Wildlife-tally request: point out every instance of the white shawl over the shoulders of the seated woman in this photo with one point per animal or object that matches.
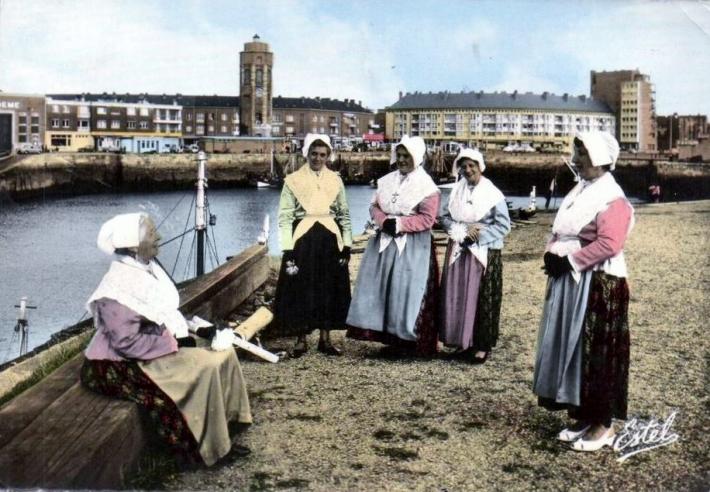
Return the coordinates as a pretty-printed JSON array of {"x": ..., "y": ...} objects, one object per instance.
[{"x": 145, "y": 289}]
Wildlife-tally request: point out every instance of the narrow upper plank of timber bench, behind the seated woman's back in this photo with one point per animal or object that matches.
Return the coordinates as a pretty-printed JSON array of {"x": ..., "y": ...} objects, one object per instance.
[{"x": 20, "y": 412}]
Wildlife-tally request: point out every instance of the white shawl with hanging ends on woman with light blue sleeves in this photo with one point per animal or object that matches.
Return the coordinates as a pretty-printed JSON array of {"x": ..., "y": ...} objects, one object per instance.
[{"x": 468, "y": 206}]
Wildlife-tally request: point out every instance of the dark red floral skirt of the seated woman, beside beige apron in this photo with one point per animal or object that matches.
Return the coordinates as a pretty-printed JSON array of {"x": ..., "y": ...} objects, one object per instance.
[{"x": 125, "y": 380}]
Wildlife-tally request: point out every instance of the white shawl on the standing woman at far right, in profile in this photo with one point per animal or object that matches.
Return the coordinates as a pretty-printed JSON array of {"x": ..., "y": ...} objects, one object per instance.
[{"x": 579, "y": 208}]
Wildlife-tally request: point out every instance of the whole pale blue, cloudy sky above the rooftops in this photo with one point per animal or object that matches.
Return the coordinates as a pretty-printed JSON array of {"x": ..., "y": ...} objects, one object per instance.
[{"x": 362, "y": 50}]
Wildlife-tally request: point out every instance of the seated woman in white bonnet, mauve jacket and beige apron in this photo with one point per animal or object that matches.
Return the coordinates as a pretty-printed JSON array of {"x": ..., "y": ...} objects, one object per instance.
[{"x": 191, "y": 394}]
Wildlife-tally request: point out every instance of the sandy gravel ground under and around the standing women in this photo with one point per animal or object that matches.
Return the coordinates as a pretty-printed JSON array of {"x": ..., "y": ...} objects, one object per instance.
[{"x": 366, "y": 421}]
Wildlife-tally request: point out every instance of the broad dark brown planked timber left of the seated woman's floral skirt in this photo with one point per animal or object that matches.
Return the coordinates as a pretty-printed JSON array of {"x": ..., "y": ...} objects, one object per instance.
[{"x": 74, "y": 443}]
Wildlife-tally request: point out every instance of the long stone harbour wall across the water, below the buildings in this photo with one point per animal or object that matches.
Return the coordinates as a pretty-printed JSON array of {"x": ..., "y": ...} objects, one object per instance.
[{"x": 41, "y": 175}]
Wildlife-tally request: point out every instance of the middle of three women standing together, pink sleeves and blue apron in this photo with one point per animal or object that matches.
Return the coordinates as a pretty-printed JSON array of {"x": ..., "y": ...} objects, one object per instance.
[{"x": 395, "y": 294}]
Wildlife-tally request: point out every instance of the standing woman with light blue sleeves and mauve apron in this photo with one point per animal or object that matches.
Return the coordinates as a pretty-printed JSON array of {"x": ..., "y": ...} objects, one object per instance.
[{"x": 472, "y": 283}]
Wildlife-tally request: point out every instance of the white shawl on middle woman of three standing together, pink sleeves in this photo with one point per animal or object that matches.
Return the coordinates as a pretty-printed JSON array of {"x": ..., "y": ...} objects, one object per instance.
[{"x": 399, "y": 195}]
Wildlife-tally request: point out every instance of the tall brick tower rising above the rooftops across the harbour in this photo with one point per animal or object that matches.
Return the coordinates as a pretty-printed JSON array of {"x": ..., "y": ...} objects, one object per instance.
[{"x": 255, "y": 88}]
